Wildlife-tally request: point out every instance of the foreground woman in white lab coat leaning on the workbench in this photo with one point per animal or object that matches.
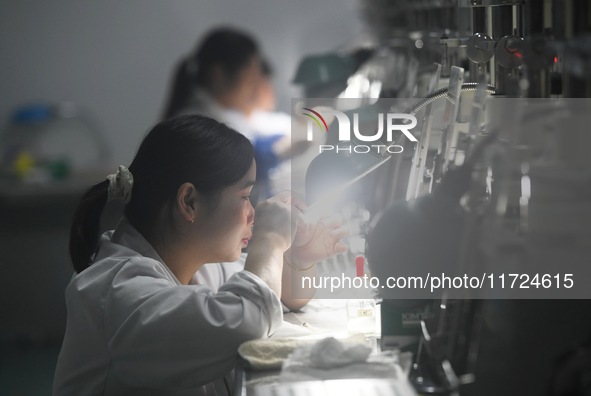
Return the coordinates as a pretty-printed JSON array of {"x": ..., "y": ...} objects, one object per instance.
[{"x": 137, "y": 322}]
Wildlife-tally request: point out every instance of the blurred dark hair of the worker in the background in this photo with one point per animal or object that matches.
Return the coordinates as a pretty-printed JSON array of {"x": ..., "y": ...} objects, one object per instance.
[{"x": 226, "y": 48}]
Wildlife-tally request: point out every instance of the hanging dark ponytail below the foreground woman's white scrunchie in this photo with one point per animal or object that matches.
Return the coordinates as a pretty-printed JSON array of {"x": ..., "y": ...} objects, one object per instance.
[{"x": 84, "y": 232}]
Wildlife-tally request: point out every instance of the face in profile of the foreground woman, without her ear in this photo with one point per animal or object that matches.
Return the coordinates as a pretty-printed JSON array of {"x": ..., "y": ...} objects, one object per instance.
[{"x": 228, "y": 224}]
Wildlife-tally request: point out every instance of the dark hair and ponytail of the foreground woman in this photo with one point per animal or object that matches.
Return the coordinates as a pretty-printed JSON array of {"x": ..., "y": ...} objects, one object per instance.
[{"x": 185, "y": 149}]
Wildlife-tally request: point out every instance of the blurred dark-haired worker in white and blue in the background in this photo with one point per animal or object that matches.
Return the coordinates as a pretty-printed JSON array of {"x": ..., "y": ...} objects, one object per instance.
[{"x": 227, "y": 79}]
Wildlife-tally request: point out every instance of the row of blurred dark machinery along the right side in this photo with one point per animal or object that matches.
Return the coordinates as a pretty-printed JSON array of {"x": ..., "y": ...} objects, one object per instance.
[{"x": 500, "y": 89}]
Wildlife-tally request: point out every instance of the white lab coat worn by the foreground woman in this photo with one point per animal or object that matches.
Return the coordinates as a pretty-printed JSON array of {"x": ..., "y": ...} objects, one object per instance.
[{"x": 133, "y": 329}]
